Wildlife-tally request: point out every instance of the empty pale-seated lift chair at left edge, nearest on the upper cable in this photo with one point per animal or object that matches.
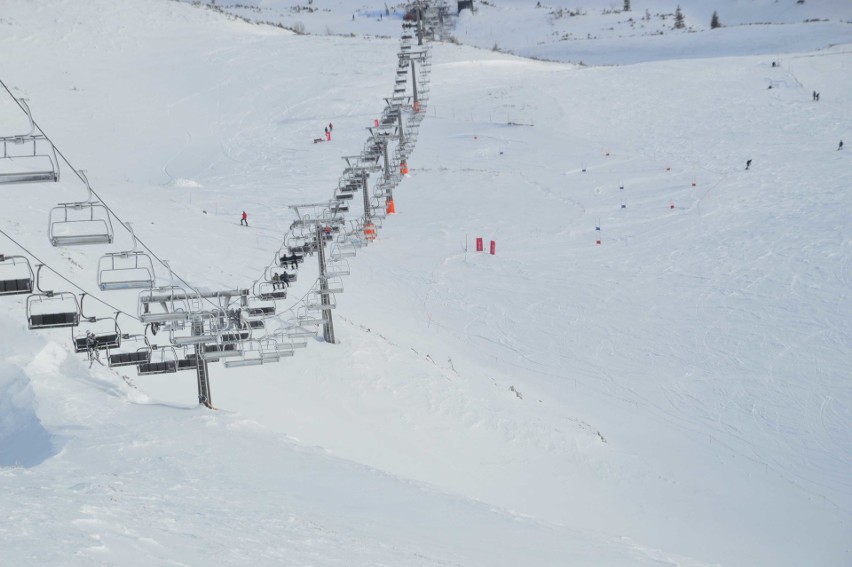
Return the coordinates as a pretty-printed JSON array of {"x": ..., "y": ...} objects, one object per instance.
[{"x": 28, "y": 158}]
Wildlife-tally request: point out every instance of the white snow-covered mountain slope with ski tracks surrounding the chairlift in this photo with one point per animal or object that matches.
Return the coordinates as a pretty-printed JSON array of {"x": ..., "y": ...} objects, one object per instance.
[{"x": 676, "y": 395}]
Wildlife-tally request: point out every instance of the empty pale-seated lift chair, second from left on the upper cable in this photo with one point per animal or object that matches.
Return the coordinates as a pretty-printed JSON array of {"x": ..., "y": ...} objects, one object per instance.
[{"x": 84, "y": 222}]
